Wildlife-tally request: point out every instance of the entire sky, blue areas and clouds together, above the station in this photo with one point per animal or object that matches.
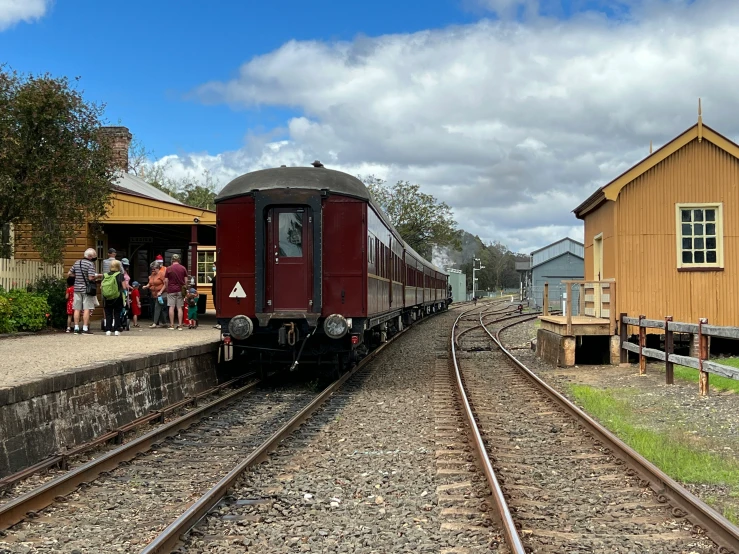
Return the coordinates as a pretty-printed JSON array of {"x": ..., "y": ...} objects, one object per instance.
[{"x": 511, "y": 111}]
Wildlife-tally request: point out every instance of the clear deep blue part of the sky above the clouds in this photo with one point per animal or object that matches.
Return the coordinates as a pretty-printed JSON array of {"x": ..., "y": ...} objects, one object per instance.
[{"x": 143, "y": 58}]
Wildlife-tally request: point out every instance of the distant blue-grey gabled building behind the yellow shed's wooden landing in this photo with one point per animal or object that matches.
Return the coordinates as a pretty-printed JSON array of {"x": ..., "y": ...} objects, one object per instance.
[{"x": 560, "y": 261}]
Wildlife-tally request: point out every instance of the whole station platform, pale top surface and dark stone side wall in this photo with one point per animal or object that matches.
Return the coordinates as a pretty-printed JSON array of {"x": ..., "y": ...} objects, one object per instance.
[{"x": 58, "y": 390}]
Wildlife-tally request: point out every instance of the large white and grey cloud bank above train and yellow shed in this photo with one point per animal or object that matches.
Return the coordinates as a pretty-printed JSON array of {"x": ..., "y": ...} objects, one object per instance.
[{"x": 512, "y": 123}]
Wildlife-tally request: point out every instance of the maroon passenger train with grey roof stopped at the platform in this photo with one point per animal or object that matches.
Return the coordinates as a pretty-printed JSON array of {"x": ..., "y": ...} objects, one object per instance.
[{"x": 310, "y": 268}]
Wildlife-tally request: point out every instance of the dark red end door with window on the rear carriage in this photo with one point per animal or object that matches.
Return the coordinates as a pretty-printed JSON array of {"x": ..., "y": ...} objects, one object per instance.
[{"x": 289, "y": 258}]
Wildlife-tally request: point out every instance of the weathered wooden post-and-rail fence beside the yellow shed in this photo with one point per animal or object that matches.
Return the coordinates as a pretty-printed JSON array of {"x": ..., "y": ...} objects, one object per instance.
[{"x": 701, "y": 363}]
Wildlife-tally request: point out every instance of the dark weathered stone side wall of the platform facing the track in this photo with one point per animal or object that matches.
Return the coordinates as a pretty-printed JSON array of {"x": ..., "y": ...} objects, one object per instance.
[{"x": 40, "y": 418}]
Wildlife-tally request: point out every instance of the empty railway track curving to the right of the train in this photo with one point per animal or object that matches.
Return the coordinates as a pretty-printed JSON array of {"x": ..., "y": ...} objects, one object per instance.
[{"x": 560, "y": 481}]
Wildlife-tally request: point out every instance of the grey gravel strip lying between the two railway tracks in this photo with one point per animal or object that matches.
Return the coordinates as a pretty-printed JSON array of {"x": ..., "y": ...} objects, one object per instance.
[{"x": 363, "y": 475}]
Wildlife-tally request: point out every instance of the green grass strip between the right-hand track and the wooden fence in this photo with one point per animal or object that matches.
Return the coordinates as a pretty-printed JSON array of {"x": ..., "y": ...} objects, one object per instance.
[{"x": 683, "y": 460}]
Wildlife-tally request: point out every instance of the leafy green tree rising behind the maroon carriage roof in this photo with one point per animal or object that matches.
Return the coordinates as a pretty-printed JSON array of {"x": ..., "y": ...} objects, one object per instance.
[{"x": 420, "y": 218}]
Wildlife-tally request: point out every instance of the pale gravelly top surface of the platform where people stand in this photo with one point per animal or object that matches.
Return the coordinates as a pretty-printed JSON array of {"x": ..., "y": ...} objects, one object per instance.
[{"x": 31, "y": 358}]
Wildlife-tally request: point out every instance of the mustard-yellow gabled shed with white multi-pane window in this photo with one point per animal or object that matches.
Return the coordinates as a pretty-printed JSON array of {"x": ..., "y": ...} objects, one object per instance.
[{"x": 667, "y": 231}]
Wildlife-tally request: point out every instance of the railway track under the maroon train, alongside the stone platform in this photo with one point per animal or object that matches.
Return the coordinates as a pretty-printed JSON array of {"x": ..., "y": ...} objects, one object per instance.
[{"x": 167, "y": 479}]
